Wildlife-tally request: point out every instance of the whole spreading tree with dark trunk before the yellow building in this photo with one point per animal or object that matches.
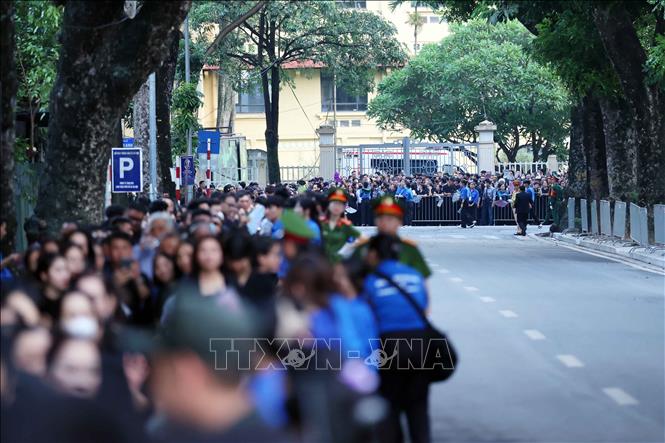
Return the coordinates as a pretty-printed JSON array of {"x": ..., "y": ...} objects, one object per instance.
[{"x": 351, "y": 41}]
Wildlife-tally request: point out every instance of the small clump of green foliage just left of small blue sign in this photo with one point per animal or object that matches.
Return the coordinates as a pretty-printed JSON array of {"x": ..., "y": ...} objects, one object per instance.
[{"x": 185, "y": 104}]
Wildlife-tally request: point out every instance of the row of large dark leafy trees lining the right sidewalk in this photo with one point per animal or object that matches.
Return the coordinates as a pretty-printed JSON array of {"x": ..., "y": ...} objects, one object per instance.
[{"x": 612, "y": 56}]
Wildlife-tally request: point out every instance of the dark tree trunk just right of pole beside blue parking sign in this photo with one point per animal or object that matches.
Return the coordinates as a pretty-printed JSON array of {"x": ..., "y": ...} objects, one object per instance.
[{"x": 164, "y": 86}]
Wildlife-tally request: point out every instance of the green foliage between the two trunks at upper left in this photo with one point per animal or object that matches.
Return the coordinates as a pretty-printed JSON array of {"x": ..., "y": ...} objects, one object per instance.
[{"x": 37, "y": 48}]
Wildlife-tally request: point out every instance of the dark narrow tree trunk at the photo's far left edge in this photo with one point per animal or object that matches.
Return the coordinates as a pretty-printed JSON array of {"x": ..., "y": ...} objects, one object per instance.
[{"x": 8, "y": 88}]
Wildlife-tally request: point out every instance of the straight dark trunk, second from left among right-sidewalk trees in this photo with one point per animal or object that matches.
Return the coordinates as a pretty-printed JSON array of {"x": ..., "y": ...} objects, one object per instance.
[{"x": 594, "y": 146}]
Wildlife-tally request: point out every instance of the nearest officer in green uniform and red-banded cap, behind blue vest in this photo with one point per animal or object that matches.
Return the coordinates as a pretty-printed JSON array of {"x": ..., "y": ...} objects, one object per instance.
[{"x": 388, "y": 217}]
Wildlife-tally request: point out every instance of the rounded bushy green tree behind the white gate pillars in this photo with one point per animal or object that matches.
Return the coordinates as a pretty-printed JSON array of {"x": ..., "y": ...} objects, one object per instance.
[{"x": 478, "y": 72}]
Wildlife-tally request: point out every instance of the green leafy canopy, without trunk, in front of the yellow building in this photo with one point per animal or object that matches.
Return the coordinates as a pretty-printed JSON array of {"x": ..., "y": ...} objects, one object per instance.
[{"x": 351, "y": 40}]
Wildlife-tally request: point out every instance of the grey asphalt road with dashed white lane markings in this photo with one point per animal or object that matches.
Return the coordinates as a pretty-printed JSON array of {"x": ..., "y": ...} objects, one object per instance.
[{"x": 555, "y": 345}]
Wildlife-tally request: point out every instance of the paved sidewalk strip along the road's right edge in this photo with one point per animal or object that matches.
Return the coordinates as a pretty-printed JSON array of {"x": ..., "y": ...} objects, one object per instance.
[{"x": 654, "y": 255}]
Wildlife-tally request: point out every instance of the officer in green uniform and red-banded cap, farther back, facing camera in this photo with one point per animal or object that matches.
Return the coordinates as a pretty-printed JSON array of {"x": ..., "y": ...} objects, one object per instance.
[{"x": 336, "y": 230}]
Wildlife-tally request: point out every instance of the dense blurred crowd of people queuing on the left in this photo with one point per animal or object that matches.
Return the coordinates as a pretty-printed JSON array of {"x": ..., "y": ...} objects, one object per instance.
[{"x": 134, "y": 329}]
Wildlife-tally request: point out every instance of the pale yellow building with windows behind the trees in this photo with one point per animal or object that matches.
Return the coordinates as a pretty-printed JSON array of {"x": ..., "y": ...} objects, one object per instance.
[{"x": 309, "y": 103}]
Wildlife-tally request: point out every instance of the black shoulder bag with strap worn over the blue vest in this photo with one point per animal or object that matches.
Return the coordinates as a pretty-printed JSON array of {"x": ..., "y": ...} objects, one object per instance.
[{"x": 438, "y": 357}]
